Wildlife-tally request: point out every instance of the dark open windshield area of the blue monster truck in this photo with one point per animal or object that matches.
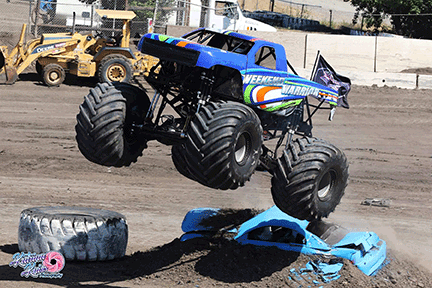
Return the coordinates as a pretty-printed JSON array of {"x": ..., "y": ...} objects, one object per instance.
[{"x": 221, "y": 41}]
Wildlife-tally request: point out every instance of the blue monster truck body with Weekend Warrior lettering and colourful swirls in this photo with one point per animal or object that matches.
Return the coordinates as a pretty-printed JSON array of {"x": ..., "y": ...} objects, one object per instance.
[{"x": 266, "y": 88}]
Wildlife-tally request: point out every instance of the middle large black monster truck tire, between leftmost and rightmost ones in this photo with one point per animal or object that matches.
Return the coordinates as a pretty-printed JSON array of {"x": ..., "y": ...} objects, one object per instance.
[{"x": 223, "y": 145}]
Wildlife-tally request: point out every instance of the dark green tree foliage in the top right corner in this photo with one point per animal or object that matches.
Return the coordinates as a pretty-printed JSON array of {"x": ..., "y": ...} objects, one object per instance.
[{"x": 406, "y": 16}]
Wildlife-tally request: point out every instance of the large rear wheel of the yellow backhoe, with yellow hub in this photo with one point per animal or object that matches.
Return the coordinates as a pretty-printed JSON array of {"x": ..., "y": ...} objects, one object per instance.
[{"x": 115, "y": 68}]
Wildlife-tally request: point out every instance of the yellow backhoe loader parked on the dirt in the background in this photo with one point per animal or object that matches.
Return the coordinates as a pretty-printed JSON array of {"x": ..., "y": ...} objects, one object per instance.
[{"x": 109, "y": 58}]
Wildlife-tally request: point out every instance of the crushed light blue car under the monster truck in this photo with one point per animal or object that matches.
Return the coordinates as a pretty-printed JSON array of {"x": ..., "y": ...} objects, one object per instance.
[{"x": 275, "y": 228}]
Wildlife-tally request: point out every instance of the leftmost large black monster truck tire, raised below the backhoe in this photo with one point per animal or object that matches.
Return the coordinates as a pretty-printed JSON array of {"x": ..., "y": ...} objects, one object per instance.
[{"x": 104, "y": 124}]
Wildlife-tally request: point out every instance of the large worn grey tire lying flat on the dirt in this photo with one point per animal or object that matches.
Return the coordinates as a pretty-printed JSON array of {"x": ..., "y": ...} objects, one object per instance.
[{"x": 78, "y": 233}]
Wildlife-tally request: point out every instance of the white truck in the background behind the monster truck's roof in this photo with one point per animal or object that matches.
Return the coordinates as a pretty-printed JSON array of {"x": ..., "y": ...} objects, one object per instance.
[{"x": 225, "y": 15}]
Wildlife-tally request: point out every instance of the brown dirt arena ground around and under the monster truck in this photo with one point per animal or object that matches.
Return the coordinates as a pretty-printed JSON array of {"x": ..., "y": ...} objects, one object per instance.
[{"x": 386, "y": 136}]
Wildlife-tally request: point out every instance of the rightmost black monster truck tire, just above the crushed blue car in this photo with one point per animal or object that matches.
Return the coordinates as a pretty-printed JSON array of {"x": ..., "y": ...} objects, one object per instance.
[{"x": 310, "y": 180}]
